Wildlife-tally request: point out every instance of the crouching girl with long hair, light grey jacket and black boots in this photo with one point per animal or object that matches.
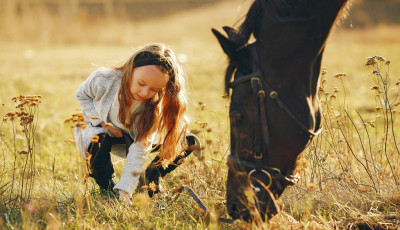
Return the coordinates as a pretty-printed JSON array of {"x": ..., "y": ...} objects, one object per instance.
[{"x": 144, "y": 99}]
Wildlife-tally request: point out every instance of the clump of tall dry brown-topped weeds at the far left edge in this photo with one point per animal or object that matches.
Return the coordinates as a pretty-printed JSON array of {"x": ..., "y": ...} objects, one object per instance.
[{"x": 18, "y": 130}]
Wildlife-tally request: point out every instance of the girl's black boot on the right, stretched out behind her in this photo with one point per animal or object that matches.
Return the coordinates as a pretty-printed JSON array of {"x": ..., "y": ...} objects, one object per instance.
[{"x": 155, "y": 171}]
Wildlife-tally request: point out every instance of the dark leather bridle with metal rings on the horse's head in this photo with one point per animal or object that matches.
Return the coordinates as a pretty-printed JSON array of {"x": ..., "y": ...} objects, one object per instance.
[{"x": 261, "y": 88}]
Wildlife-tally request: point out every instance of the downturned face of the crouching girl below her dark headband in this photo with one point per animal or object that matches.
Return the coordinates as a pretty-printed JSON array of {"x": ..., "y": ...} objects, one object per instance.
[{"x": 147, "y": 81}]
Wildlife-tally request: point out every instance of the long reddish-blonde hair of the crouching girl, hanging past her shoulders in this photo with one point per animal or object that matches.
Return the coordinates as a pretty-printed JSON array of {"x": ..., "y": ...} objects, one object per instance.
[{"x": 165, "y": 113}]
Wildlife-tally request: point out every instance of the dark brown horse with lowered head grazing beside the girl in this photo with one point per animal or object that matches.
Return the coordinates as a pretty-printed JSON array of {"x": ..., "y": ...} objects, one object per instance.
[{"x": 274, "y": 110}]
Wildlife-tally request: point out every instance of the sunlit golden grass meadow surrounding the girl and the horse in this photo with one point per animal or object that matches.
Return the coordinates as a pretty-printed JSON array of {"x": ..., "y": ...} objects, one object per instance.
[{"x": 349, "y": 174}]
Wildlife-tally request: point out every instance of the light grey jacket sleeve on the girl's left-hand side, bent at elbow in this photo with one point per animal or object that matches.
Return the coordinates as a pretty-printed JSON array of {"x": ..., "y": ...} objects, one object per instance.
[{"x": 88, "y": 92}]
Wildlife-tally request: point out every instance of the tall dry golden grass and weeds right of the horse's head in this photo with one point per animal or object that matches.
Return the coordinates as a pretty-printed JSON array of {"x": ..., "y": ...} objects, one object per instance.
[{"x": 350, "y": 172}]
